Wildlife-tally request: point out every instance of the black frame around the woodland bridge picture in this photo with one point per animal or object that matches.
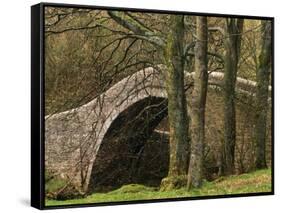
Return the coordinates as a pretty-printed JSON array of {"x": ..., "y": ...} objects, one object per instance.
[{"x": 38, "y": 105}]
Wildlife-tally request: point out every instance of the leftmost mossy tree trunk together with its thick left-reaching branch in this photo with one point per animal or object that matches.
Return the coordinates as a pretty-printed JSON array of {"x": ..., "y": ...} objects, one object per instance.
[{"x": 174, "y": 75}]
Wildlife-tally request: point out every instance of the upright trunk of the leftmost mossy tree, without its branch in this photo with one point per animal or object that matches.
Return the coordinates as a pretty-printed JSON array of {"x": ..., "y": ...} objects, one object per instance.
[{"x": 177, "y": 109}]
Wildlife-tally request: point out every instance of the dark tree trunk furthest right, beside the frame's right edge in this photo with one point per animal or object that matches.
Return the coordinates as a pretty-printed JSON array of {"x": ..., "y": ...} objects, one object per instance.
[{"x": 263, "y": 73}]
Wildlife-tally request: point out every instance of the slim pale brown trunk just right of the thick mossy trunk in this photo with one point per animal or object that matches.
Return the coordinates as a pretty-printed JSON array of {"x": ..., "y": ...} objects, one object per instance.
[{"x": 198, "y": 103}]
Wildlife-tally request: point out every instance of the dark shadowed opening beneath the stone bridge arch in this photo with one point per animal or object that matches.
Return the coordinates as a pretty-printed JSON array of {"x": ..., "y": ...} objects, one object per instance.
[{"x": 131, "y": 151}]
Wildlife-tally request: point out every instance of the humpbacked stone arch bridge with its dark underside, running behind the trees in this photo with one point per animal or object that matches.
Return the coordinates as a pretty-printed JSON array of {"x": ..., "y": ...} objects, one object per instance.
[{"x": 76, "y": 140}]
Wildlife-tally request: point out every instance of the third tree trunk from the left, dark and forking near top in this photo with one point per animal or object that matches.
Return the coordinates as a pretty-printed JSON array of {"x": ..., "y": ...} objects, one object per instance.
[{"x": 232, "y": 44}]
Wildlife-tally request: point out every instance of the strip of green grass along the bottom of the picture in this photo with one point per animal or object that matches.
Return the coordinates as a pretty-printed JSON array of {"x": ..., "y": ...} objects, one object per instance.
[{"x": 259, "y": 181}]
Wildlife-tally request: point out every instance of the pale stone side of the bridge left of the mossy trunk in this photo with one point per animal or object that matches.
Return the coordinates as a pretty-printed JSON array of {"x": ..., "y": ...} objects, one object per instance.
[{"x": 73, "y": 138}]
